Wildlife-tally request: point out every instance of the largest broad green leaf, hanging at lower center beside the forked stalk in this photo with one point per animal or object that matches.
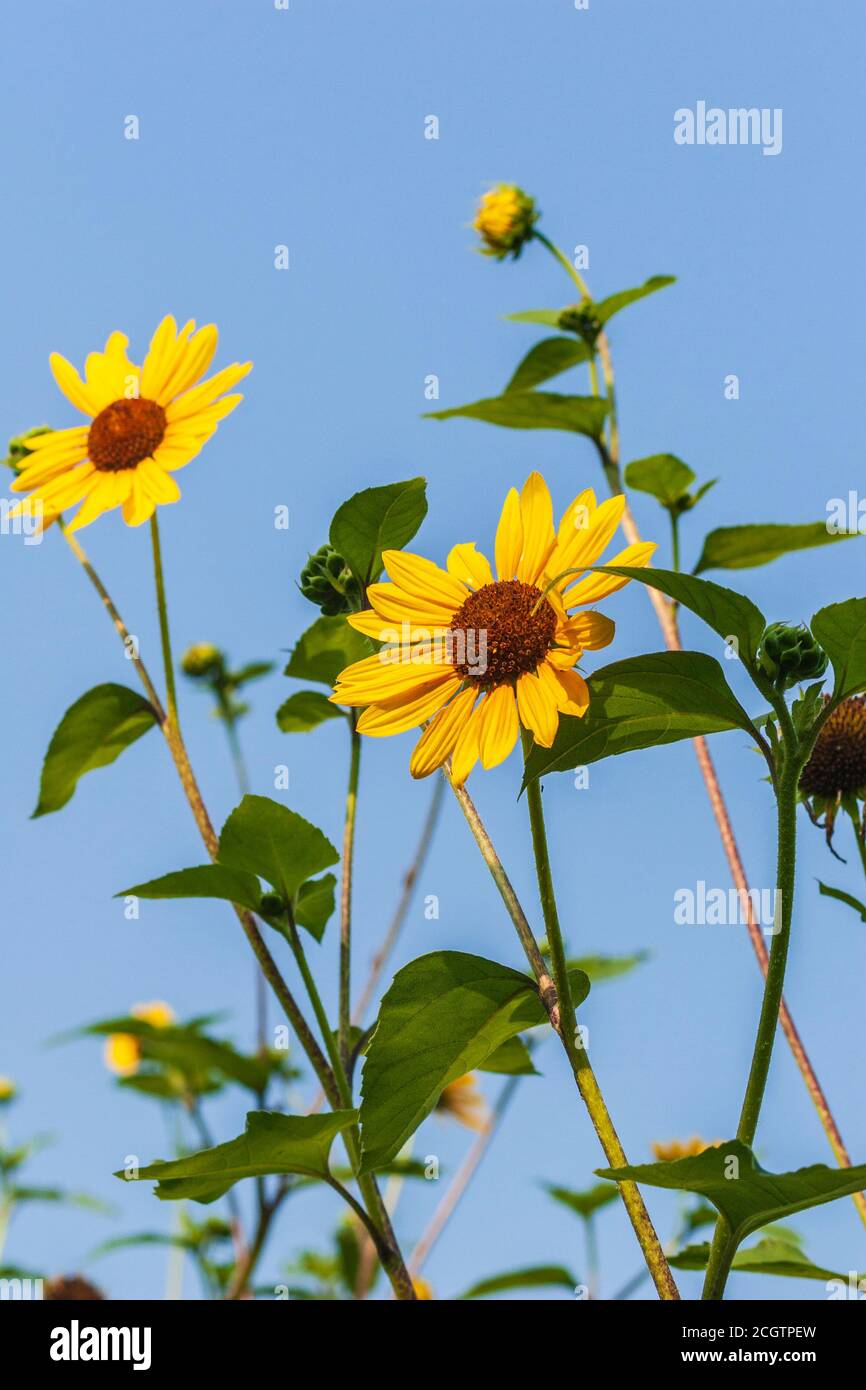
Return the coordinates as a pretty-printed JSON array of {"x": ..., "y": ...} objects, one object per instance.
[{"x": 444, "y": 1015}]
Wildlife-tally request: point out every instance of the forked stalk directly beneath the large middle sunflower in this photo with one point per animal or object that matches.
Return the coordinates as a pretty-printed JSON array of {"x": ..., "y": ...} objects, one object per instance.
[{"x": 561, "y": 1013}]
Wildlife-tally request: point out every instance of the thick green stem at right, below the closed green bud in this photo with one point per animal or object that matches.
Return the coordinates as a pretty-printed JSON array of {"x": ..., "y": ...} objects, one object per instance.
[{"x": 725, "y": 1248}]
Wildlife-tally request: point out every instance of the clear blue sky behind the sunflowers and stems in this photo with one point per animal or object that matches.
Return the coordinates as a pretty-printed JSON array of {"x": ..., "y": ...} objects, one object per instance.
[{"x": 305, "y": 129}]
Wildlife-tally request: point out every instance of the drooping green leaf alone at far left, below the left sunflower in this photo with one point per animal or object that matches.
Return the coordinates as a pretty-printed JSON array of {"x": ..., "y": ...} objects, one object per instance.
[{"x": 92, "y": 733}]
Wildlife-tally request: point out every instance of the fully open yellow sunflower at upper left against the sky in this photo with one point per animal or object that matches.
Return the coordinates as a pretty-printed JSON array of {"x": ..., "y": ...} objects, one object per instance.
[{"x": 145, "y": 425}]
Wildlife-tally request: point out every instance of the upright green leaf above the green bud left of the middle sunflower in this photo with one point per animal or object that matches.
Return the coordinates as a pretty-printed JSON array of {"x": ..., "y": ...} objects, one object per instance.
[{"x": 376, "y": 521}]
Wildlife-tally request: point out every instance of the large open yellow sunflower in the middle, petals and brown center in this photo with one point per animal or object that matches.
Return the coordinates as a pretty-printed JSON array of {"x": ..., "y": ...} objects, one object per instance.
[{"x": 480, "y": 655}]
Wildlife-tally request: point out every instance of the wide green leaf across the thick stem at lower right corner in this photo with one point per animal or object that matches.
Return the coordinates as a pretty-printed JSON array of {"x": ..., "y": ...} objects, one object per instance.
[{"x": 747, "y": 1195}]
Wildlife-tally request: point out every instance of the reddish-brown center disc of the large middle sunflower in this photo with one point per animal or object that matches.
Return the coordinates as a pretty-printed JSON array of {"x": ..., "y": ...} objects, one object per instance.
[{"x": 500, "y": 633}]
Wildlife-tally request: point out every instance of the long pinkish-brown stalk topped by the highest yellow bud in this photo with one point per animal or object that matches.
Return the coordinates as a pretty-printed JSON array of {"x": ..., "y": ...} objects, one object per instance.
[{"x": 668, "y": 618}]
